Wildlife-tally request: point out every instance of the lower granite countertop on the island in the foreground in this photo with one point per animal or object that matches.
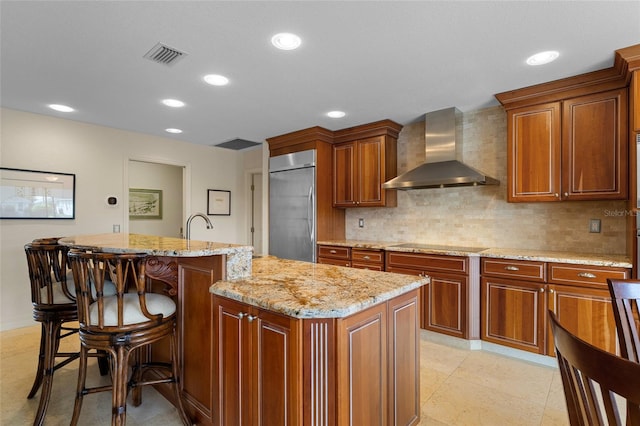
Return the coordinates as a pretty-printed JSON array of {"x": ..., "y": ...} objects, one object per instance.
[{"x": 311, "y": 290}]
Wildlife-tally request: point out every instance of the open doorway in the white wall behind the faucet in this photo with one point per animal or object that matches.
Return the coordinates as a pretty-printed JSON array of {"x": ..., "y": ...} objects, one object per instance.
[{"x": 167, "y": 178}]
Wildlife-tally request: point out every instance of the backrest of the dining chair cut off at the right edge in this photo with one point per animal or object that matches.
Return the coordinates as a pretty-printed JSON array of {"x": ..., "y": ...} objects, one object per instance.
[{"x": 625, "y": 295}]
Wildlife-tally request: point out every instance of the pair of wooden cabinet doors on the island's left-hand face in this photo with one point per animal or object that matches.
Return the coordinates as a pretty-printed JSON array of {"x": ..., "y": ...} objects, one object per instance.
[{"x": 257, "y": 368}]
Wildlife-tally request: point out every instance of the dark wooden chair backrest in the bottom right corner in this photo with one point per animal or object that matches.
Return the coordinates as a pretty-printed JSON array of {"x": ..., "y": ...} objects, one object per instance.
[{"x": 592, "y": 378}]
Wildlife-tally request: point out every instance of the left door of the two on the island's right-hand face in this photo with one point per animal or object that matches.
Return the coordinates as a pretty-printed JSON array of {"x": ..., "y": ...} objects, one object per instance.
[{"x": 362, "y": 368}]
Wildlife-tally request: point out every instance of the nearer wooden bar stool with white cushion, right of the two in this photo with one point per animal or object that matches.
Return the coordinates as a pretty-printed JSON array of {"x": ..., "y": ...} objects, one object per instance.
[{"x": 121, "y": 325}]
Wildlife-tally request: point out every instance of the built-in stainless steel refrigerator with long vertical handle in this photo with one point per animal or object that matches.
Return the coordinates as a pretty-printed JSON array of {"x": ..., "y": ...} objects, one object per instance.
[{"x": 292, "y": 206}]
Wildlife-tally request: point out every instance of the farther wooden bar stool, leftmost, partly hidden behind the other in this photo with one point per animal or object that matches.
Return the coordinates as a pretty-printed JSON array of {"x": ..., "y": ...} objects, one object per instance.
[{"x": 54, "y": 305}]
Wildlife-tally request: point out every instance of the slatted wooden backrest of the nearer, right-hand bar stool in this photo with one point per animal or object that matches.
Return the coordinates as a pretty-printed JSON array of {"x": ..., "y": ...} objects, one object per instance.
[{"x": 100, "y": 312}]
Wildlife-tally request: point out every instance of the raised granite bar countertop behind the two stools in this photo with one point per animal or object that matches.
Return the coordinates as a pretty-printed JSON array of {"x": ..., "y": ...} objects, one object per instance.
[{"x": 153, "y": 245}]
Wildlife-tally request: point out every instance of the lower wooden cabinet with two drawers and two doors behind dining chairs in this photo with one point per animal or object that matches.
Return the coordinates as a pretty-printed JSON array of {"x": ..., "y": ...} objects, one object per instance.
[{"x": 516, "y": 296}]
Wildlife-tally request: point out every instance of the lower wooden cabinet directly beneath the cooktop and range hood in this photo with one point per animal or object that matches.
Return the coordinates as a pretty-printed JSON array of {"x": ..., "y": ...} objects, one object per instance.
[{"x": 445, "y": 298}]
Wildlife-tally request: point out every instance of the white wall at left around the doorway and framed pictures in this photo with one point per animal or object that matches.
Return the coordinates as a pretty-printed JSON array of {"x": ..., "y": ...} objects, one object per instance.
[{"x": 99, "y": 158}]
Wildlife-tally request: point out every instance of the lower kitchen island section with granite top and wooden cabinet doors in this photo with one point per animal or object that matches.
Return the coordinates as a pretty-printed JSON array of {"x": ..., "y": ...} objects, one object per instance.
[{"x": 302, "y": 343}]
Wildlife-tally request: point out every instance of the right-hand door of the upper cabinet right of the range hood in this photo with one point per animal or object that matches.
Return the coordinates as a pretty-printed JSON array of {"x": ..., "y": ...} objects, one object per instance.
[{"x": 594, "y": 146}]
